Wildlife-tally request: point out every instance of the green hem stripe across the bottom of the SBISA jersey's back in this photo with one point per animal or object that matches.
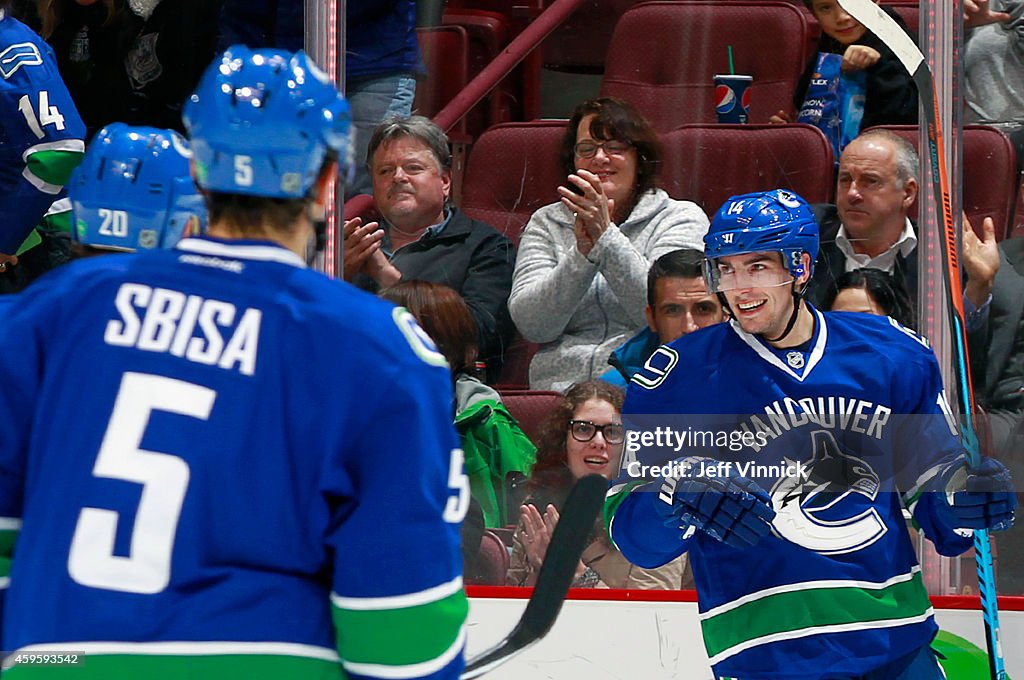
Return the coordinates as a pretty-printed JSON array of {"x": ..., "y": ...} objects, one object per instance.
[{"x": 163, "y": 667}]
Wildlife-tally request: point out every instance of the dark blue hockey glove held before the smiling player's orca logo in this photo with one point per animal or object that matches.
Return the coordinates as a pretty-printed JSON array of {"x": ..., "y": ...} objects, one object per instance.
[{"x": 732, "y": 509}]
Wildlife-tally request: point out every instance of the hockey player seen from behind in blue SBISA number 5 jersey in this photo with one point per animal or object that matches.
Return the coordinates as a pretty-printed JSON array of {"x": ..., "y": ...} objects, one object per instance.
[{"x": 217, "y": 463}]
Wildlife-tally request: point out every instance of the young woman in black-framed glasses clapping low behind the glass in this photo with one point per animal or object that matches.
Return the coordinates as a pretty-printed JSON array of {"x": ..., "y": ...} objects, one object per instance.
[{"x": 583, "y": 436}]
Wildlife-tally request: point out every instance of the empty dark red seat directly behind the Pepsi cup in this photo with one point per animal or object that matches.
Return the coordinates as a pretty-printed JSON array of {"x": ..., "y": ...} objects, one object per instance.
[{"x": 664, "y": 57}]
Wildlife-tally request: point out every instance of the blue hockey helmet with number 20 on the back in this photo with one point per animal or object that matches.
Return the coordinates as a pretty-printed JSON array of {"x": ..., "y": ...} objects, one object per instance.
[{"x": 134, "y": 191}]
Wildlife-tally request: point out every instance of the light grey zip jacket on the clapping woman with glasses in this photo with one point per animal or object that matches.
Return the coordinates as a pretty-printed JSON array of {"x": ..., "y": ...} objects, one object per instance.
[{"x": 580, "y": 308}]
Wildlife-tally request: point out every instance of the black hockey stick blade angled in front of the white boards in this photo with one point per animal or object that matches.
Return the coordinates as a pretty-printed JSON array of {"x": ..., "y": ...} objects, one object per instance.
[{"x": 568, "y": 542}]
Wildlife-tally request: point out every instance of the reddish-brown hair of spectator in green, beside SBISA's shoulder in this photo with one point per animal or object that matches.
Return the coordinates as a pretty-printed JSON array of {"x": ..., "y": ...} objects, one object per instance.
[{"x": 444, "y": 315}]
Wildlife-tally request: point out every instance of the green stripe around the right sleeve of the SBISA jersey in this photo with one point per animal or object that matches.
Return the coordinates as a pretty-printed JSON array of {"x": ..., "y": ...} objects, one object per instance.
[{"x": 402, "y": 636}]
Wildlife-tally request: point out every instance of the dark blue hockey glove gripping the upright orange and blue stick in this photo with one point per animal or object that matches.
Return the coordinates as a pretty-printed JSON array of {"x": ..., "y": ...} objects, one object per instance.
[{"x": 977, "y": 498}]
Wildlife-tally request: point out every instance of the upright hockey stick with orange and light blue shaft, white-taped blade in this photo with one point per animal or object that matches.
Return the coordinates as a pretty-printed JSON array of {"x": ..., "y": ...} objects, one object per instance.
[{"x": 901, "y": 44}]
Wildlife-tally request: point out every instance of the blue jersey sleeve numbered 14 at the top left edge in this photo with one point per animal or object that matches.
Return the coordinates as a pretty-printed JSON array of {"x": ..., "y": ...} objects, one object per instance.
[{"x": 41, "y": 135}]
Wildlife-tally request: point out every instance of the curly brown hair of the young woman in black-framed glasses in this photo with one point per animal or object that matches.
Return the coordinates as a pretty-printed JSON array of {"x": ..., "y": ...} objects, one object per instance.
[{"x": 551, "y": 478}]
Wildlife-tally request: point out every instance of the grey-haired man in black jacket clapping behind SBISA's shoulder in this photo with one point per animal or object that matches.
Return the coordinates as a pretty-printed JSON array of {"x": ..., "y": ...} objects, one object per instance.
[{"x": 425, "y": 238}]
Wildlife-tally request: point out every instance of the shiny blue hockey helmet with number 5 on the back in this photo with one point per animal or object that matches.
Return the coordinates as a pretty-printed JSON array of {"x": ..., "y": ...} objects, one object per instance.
[{"x": 263, "y": 122}]
